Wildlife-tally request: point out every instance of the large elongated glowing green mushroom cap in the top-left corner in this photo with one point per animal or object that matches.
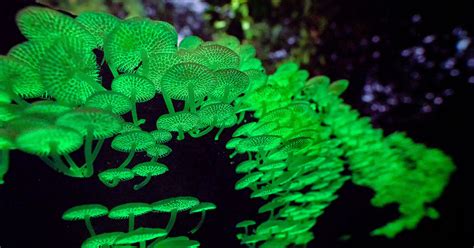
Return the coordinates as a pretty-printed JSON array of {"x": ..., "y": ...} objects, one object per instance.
[{"x": 47, "y": 25}]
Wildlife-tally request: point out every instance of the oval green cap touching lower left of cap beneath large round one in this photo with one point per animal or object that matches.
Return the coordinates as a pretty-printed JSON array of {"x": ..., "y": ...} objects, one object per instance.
[{"x": 113, "y": 101}]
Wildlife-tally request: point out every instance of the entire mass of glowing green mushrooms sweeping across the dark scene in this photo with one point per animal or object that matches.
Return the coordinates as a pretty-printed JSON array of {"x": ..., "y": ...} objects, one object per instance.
[{"x": 302, "y": 146}]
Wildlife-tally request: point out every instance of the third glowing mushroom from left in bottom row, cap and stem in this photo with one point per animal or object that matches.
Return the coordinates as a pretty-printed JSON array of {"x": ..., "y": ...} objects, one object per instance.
[{"x": 173, "y": 206}]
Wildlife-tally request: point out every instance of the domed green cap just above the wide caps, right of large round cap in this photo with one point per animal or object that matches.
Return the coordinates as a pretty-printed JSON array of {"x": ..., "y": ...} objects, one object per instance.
[{"x": 217, "y": 57}]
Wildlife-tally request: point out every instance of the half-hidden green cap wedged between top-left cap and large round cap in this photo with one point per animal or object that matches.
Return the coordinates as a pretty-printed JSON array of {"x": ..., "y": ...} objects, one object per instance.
[{"x": 99, "y": 24}]
